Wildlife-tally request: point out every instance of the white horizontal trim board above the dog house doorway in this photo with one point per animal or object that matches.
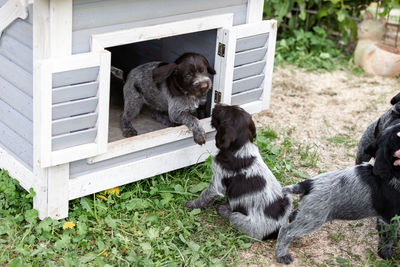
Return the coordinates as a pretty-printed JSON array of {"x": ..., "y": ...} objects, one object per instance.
[{"x": 100, "y": 41}]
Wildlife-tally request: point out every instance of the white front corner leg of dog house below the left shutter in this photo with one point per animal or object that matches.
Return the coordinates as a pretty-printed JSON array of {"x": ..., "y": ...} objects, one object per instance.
[{"x": 58, "y": 191}]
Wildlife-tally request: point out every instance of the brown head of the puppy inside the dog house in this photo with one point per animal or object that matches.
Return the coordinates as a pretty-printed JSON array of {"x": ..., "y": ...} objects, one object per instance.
[{"x": 188, "y": 75}]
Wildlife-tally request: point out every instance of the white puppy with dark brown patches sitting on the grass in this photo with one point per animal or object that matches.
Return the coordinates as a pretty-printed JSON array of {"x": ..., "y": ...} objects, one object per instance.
[{"x": 257, "y": 205}]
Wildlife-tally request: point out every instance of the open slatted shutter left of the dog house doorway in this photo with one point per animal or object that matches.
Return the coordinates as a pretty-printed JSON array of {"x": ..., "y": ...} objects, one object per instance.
[{"x": 74, "y": 107}]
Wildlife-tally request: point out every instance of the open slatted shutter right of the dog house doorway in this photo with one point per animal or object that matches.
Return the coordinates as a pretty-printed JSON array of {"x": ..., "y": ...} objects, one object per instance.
[{"x": 252, "y": 47}]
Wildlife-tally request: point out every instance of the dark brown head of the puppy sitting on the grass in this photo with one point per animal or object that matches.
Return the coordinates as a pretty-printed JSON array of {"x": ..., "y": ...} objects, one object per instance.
[{"x": 234, "y": 127}]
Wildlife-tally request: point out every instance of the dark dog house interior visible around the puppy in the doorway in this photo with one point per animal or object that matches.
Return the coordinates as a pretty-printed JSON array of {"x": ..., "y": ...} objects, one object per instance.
[{"x": 126, "y": 57}]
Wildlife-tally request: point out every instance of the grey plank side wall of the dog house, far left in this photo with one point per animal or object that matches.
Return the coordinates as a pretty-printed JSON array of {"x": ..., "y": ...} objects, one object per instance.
[{"x": 16, "y": 89}]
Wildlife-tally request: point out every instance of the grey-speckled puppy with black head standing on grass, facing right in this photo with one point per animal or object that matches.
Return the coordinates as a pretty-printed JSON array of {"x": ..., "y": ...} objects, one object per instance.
[{"x": 366, "y": 190}]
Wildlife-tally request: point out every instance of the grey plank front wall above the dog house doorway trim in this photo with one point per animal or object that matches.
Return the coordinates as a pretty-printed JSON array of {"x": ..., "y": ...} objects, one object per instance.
[{"x": 89, "y": 16}]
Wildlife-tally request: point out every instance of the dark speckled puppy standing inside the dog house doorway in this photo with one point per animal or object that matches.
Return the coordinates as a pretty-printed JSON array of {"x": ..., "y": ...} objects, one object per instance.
[{"x": 172, "y": 91}]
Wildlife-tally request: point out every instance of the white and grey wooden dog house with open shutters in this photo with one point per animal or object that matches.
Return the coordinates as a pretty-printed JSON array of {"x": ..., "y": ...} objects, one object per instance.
[{"x": 55, "y": 86}]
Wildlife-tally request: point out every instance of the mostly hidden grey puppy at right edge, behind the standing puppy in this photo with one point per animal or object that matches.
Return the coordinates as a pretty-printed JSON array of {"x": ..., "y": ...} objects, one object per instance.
[{"x": 374, "y": 129}]
